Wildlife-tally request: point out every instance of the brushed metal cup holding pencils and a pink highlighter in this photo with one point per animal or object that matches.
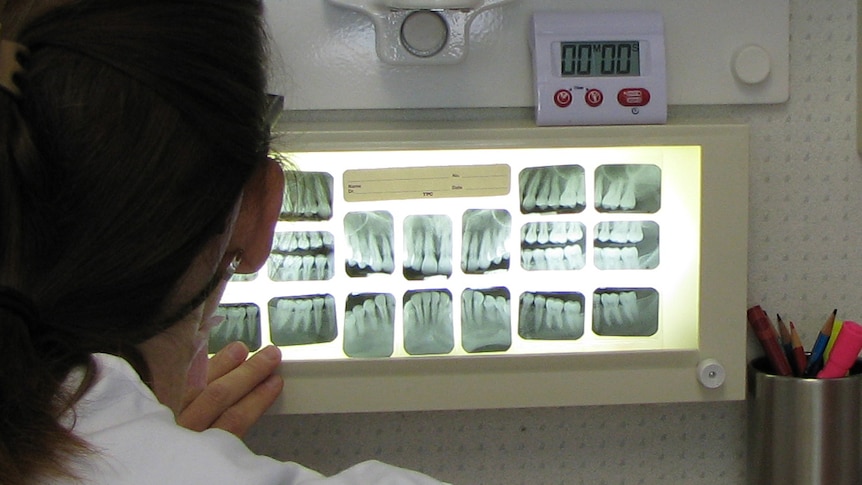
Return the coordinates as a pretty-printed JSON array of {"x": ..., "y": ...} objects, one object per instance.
[{"x": 804, "y": 431}]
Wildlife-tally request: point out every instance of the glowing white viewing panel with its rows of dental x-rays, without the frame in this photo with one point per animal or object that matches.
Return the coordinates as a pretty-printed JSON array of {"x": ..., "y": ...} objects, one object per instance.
[{"x": 435, "y": 252}]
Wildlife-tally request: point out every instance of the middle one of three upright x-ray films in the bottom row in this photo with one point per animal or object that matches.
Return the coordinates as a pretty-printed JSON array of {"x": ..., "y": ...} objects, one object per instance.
[{"x": 428, "y": 327}]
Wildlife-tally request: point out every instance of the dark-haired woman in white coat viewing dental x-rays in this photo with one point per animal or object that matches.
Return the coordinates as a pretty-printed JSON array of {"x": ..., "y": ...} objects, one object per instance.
[{"x": 134, "y": 180}]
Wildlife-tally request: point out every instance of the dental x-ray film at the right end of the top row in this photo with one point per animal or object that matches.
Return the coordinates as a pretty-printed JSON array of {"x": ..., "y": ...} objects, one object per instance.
[{"x": 628, "y": 188}]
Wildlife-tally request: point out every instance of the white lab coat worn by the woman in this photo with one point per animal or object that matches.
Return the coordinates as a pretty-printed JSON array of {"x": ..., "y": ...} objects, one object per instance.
[{"x": 137, "y": 441}]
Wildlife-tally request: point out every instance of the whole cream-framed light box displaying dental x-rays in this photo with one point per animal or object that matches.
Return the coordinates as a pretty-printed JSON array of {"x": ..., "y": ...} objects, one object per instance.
[{"x": 518, "y": 266}]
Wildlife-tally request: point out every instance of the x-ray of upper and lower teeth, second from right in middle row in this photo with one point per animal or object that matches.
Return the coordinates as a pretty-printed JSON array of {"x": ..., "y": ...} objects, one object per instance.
[{"x": 552, "y": 246}]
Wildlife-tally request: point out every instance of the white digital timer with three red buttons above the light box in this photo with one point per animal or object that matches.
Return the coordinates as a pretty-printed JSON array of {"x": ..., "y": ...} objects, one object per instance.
[{"x": 599, "y": 68}]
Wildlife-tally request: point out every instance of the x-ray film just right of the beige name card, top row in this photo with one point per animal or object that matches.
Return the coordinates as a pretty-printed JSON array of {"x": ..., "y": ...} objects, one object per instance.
[{"x": 558, "y": 188}]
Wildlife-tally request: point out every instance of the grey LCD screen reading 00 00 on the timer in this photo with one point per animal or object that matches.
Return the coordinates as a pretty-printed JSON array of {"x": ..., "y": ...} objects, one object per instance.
[{"x": 590, "y": 59}]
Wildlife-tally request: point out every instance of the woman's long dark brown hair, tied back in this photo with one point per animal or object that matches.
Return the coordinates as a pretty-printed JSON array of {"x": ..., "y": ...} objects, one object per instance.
[{"x": 137, "y": 125}]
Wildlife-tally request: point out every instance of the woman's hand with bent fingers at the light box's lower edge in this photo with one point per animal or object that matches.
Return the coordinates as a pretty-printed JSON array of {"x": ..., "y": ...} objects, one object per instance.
[{"x": 238, "y": 391}]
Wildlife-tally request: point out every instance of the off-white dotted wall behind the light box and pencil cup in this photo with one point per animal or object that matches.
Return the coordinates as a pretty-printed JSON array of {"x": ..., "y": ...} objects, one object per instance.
[{"x": 805, "y": 258}]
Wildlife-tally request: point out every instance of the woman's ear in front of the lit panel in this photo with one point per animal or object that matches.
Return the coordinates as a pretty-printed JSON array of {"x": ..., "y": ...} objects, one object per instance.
[{"x": 258, "y": 213}]
